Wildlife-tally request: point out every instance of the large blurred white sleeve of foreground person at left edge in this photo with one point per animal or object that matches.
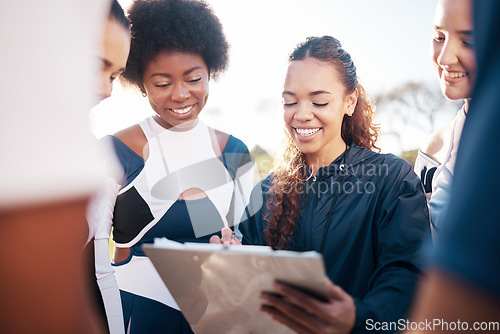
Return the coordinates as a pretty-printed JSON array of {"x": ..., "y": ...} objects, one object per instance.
[{"x": 48, "y": 88}]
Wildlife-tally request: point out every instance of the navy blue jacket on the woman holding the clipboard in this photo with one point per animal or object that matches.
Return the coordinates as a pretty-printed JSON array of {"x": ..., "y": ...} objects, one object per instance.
[{"x": 378, "y": 225}]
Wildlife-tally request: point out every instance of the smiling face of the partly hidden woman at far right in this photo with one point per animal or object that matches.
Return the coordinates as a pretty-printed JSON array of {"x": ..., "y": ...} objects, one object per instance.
[{"x": 453, "y": 54}]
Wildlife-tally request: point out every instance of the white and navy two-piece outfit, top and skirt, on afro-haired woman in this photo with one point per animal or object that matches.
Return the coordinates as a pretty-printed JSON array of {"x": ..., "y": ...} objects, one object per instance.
[{"x": 147, "y": 206}]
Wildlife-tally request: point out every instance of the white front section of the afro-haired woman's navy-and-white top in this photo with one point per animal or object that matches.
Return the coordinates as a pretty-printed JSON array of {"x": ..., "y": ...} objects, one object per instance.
[{"x": 179, "y": 160}]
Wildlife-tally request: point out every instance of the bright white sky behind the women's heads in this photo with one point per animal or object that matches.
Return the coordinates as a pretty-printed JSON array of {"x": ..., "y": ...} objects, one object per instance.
[{"x": 389, "y": 41}]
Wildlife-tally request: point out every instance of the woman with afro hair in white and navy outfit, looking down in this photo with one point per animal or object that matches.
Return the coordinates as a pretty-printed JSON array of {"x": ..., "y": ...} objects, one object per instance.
[{"x": 182, "y": 180}]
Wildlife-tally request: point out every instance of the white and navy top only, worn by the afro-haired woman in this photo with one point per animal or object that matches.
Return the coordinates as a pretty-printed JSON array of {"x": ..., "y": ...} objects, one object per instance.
[{"x": 178, "y": 161}]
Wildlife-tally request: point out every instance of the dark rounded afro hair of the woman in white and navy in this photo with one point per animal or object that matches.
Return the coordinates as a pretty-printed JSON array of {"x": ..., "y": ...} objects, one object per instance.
[{"x": 188, "y": 26}]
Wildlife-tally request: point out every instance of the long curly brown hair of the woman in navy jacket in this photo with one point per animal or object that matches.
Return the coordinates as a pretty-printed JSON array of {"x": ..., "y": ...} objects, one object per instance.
[{"x": 290, "y": 168}]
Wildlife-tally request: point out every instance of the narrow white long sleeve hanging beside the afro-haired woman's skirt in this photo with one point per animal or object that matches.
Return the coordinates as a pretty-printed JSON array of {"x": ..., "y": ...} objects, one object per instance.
[{"x": 100, "y": 217}]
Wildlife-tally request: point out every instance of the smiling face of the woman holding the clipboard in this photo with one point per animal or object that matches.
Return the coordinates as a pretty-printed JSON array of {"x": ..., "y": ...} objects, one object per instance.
[{"x": 315, "y": 103}]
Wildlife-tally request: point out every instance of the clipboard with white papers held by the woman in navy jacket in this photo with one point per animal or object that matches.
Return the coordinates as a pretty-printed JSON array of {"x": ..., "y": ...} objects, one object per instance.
[{"x": 218, "y": 287}]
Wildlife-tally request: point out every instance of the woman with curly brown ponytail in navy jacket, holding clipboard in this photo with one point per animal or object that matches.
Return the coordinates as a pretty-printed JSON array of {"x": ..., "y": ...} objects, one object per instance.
[{"x": 330, "y": 192}]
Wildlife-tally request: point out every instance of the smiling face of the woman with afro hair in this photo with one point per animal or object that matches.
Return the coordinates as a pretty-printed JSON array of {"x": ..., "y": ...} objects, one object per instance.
[{"x": 176, "y": 84}]
